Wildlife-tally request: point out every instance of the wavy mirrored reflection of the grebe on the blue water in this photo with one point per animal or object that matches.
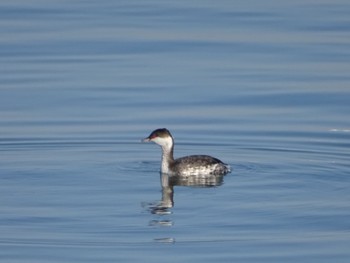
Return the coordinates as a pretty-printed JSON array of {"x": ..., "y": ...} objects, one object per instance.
[{"x": 163, "y": 207}]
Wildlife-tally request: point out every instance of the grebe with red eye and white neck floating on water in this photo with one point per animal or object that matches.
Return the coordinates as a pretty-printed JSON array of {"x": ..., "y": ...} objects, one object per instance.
[{"x": 202, "y": 165}]
